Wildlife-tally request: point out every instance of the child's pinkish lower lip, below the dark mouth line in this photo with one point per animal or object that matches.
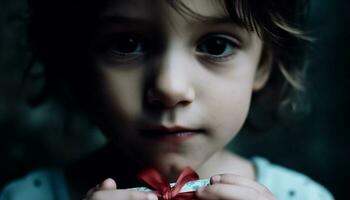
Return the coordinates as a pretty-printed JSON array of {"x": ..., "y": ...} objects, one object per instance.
[{"x": 174, "y": 137}]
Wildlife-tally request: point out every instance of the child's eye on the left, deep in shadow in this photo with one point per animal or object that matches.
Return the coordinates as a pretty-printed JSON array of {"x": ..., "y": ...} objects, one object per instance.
[{"x": 124, "y": 46}]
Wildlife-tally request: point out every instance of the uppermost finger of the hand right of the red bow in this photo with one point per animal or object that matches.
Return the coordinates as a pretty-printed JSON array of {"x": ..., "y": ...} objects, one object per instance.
[{"x": 233, "y": 179}]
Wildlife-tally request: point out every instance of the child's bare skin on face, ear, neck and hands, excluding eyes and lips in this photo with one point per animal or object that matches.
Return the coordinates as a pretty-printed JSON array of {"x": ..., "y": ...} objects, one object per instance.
[{"x": 176, "y": 82}]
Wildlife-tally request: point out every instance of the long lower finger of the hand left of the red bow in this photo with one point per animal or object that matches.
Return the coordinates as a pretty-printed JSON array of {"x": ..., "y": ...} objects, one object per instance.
[{"x": 122, "y": 194}]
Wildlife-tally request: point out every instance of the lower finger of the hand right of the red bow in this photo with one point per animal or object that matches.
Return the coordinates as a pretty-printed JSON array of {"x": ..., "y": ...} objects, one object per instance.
[{"x": 230, "y": 192}]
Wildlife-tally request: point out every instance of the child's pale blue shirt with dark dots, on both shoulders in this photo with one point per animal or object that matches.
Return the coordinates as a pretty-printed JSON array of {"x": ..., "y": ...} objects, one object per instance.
[{"x": 285, "y": 184}]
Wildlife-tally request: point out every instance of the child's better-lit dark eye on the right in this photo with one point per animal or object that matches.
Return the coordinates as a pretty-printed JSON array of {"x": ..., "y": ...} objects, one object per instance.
[{"x": 217, "y": 46}]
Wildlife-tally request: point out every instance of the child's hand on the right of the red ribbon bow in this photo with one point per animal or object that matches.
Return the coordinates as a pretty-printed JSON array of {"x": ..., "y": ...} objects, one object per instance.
[{"x": 234, "y": 187}]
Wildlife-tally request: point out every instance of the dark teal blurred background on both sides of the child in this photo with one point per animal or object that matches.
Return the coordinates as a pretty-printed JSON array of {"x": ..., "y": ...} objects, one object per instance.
[{"x": 49, "y": 135}]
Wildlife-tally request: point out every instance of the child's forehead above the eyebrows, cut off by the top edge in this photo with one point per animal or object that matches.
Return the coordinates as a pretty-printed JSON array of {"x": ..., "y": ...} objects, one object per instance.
[{"x": 161, "y": 9}]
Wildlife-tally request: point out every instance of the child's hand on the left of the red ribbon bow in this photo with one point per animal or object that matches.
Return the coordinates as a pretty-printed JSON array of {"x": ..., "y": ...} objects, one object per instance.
[{"x": 107, "y": 190}]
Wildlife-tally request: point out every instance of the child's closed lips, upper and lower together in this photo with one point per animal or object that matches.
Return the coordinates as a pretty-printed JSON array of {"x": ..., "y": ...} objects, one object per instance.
[{"x": 169, "y": 134}]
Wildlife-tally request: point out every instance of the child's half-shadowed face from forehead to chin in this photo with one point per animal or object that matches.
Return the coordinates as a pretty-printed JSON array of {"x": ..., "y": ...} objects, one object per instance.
[{"x": 163, "y": 72}]
